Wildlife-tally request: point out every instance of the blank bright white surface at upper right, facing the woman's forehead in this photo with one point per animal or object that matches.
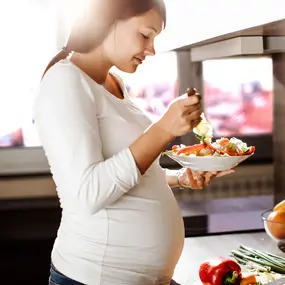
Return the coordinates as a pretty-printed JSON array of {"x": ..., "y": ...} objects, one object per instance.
[{"x": 190, "y": 21}]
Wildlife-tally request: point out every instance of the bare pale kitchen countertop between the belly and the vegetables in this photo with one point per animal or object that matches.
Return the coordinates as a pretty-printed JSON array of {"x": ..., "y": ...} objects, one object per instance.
[{"x": 198, "y": 249}]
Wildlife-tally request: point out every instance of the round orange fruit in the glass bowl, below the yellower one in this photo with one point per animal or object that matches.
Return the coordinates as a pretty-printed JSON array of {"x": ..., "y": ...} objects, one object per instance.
[{"x": 276, "y": 224}]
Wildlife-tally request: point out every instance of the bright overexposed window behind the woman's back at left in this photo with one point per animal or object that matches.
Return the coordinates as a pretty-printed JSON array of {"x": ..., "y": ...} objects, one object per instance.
[{"x": 30, "y": 42}]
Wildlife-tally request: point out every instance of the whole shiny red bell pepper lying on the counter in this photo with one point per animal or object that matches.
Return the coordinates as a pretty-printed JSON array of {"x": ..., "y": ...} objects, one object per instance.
[{"x": 220, "y": 271}]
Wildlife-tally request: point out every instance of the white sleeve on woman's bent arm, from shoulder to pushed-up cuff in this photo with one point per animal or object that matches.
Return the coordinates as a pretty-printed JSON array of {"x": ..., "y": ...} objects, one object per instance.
[{"x": 67, "y": 124}]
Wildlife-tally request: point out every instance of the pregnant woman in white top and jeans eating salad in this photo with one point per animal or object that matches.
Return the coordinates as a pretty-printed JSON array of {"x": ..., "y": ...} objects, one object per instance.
[{"x": 120, "y": 221}]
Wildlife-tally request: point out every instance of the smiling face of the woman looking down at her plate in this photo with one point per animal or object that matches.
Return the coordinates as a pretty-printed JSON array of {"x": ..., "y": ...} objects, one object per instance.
[{"x": 131, "y": 40}]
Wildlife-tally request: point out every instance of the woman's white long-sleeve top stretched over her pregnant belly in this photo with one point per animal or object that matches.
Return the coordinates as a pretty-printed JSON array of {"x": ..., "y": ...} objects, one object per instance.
[{"x": 117, "y": 226}]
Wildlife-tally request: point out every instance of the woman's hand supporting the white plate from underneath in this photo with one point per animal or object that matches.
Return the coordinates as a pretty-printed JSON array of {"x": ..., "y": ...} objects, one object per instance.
[{"x": 198, "y": 179}]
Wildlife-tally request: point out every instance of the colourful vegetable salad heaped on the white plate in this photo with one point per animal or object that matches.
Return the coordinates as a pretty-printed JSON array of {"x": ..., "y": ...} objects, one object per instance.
[{"x": 207, "y": 147}]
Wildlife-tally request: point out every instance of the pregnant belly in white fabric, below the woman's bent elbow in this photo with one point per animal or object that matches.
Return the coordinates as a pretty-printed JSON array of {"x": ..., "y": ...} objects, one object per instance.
[{"x": 137, "y": 239}]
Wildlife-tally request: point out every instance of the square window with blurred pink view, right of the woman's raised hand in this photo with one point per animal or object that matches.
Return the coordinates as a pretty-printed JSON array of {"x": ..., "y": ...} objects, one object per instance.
[{"x": 238, "y": 95}]
